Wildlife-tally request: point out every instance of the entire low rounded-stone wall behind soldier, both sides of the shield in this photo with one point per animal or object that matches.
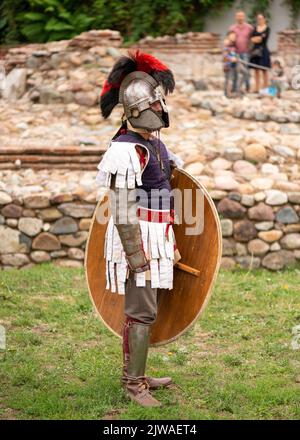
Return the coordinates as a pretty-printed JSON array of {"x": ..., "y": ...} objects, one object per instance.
[{"x": 258, "y": 230}]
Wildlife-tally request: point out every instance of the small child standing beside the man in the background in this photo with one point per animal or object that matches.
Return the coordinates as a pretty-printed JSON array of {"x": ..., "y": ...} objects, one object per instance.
[{"x": 229, "y": 62}]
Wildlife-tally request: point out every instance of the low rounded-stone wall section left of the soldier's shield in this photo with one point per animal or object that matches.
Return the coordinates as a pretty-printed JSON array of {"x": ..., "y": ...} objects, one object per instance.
[{"x": 41, "y": 228}]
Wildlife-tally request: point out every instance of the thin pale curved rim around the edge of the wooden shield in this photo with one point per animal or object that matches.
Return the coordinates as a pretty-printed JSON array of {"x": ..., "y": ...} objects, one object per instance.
[{"x": 213, "y": 280}]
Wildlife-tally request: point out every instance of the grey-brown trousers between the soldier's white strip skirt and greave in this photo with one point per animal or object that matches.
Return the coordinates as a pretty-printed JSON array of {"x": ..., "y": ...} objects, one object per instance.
[{"x": 140, "y": 302}]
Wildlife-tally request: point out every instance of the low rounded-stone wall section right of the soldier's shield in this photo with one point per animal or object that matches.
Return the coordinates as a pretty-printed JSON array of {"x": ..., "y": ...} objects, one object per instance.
[{"x": 260, "y": 230}]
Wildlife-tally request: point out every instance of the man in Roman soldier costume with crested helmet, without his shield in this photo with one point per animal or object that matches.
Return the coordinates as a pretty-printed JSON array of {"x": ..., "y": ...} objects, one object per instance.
[{"x": 140, "y": 252}]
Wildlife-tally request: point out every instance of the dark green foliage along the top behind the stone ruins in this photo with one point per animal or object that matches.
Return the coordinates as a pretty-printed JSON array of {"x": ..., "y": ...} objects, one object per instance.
[{"x": 47, "y": 20}]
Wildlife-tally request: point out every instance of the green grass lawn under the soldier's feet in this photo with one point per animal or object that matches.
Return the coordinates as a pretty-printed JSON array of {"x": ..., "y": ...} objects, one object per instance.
[{"x": 236, "y": 363}]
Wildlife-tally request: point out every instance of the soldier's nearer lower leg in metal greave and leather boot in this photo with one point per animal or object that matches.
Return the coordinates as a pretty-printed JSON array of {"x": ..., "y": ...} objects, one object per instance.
[{"x": 135, "y": 352}]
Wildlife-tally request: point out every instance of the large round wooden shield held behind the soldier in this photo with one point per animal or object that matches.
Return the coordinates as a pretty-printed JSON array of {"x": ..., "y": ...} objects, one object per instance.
[{"x": 194, "y": 274}]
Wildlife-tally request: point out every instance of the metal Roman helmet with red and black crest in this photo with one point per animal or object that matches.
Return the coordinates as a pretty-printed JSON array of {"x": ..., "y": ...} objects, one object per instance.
[{"x": 136, "y": 81}]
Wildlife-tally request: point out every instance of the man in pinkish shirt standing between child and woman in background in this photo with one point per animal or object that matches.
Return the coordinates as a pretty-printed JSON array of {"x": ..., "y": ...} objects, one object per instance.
[{"x": 243, "y": 31}]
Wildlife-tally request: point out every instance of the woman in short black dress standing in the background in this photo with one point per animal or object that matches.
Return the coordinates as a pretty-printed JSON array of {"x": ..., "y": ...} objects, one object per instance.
[{"x": 260, "y": 54}]
